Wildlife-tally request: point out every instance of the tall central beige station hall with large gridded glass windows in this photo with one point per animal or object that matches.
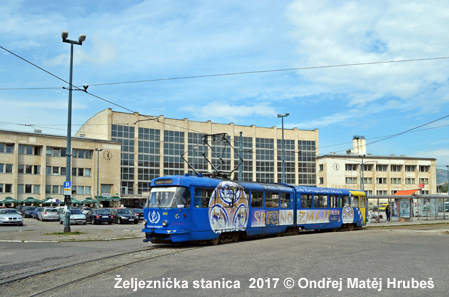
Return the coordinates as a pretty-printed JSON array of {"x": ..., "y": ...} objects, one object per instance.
[{"x": 152, "y": 146}]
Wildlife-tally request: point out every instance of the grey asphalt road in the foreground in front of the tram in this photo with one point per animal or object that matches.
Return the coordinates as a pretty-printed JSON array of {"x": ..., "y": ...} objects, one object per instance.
[{"x": 408, "y": 261}]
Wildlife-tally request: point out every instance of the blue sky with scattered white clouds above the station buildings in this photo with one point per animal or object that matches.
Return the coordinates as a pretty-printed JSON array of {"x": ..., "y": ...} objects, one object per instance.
[{"x": 316, "y": 60}]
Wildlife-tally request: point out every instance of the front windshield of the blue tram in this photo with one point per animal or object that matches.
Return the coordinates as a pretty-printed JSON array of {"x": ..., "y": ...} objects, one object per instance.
[{"x": 168, "y": 197}]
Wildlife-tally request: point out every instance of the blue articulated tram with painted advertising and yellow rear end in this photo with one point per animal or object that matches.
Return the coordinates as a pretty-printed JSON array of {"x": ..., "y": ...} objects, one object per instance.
[{"x": 196, "y": 208}]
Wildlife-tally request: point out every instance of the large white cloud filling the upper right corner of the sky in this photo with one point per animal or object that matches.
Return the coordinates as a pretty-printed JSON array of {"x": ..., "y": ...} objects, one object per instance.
[{"x": 347, "y": 32}]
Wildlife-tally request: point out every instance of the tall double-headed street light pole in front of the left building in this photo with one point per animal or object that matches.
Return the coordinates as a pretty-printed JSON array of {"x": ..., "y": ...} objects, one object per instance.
[{"x": 67, "y": 200}]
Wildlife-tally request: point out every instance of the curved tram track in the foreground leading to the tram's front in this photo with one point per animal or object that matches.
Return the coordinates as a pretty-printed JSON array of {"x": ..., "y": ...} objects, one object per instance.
[{"x": 53, "y": 279}]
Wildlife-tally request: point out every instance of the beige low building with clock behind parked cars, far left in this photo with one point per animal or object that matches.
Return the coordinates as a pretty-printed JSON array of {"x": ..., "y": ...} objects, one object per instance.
[{"x": 34, "y": 165}]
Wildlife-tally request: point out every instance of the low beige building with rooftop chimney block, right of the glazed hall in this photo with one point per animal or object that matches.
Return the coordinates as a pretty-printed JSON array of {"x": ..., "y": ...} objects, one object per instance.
[{"x": 381, "y": 175}]
